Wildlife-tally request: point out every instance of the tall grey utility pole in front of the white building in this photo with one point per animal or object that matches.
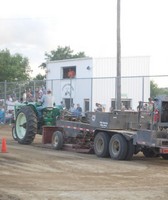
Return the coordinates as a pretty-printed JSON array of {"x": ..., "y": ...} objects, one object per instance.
[{"x": 118, "y": 80}]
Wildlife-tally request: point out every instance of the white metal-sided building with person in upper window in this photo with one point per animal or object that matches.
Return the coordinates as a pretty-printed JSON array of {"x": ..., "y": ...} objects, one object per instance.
[{"x": 95, "y": 80}]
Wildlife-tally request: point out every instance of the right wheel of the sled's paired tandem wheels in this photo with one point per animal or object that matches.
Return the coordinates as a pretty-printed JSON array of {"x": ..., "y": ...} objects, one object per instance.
[{"x": 118, "y": 147}]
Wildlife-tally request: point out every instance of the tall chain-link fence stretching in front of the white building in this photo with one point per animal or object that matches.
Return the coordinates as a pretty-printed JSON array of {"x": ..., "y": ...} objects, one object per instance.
[{"x": 87, "y": 92}]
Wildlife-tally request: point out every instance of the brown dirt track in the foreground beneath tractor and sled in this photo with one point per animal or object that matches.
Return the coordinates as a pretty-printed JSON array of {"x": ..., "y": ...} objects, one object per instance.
[{"x": 38, "y": 173}]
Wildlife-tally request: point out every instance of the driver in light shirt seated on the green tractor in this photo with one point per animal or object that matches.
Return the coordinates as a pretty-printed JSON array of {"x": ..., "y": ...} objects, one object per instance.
[{"x": 47, "y": 100}]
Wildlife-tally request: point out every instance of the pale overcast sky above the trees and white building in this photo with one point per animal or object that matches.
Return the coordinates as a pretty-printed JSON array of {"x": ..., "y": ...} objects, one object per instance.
[{"x": 33, "y": 27}]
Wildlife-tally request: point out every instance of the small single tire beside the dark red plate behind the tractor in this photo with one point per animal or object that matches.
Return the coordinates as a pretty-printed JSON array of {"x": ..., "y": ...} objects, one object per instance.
[{"x": 57, "y": 140}]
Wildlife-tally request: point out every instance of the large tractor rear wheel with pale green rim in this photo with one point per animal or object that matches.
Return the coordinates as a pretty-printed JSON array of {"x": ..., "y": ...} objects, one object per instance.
[{"x": 26, "y": 125}]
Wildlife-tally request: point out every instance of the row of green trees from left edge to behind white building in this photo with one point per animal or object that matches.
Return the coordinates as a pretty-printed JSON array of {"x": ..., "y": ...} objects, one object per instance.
[{"x": 17, "y": 67}]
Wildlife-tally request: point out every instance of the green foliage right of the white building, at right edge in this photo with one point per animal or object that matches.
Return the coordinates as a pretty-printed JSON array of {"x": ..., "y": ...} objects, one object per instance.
[{"x": 155, "y": 90}]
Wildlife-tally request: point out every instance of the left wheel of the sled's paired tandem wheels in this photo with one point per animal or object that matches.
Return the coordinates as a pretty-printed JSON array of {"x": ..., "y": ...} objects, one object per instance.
[{"x": 101, "y": 143}]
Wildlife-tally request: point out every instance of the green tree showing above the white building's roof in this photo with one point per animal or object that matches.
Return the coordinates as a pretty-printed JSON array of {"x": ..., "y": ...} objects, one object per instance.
[{"x": 61, "y": 53}]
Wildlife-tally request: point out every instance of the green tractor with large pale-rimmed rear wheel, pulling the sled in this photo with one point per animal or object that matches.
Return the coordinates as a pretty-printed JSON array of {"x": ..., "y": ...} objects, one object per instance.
[{"x": 28, "y": 122}]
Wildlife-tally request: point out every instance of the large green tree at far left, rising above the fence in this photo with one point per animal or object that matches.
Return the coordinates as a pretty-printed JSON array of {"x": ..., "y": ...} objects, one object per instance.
[{"x": 13, "y": 67}]
